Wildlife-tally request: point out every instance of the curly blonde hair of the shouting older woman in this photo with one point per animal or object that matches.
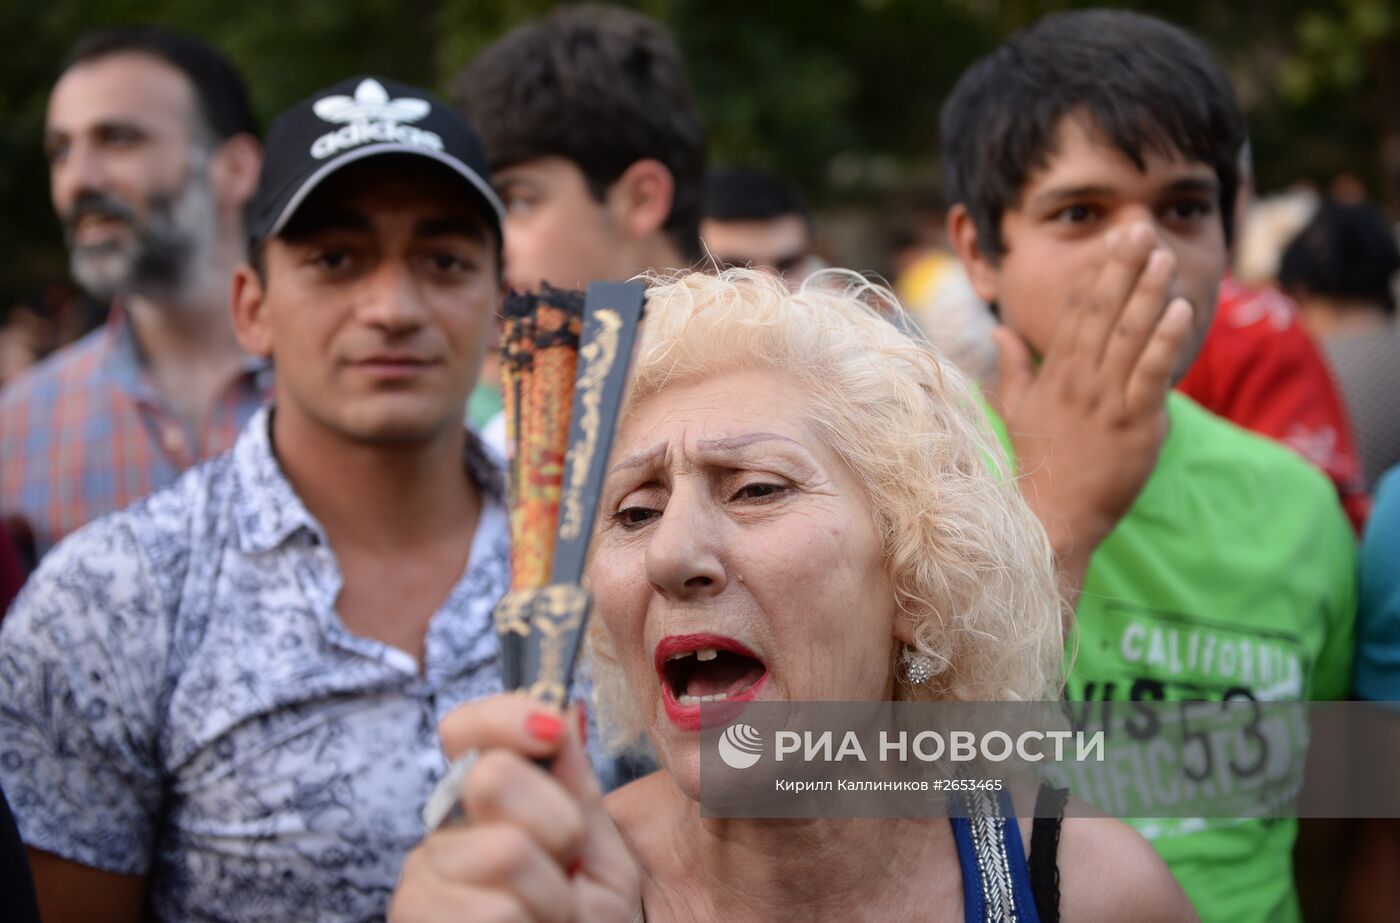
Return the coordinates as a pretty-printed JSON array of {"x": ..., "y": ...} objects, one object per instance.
[{"x": 968, "y": 561}]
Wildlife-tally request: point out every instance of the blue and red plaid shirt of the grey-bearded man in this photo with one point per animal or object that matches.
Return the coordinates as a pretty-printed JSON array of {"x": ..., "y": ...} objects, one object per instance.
[{"x": 86, "y": 433}]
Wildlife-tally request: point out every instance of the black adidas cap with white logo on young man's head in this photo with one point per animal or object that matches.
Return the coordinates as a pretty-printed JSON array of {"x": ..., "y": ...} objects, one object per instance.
[{"x": 355, "y": 120}]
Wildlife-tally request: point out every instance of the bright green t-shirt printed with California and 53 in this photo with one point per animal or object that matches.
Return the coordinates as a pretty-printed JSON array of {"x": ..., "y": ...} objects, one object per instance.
[{"x": 1234, "y": 571}]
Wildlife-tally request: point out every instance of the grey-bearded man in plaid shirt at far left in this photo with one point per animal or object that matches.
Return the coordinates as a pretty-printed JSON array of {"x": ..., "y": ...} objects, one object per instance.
[{"x": 153, "y": 153}]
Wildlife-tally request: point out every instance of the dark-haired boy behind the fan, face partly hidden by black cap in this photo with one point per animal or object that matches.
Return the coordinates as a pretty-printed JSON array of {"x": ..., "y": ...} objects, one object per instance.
[{"x": 596, "y": 146}]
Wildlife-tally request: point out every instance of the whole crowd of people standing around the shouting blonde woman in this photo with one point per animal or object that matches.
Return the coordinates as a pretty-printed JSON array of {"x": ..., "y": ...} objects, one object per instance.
[{"x": 255, "y": 523}]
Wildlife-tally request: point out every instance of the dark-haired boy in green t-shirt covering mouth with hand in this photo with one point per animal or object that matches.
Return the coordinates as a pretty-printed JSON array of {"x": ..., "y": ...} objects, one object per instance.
[{"x": 1094, "y": 160}]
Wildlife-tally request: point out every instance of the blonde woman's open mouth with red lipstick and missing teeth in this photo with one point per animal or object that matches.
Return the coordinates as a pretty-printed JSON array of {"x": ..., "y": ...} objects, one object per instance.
[{"x": 705, "y": 669}]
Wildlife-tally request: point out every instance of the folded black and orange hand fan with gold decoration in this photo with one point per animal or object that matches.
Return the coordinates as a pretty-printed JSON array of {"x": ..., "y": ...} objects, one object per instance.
[{"x": 565, "y": 370}]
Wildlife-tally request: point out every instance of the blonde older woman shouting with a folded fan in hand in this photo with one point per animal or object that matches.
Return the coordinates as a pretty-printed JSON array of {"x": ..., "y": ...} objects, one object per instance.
[{"x": 804, "y": 505}]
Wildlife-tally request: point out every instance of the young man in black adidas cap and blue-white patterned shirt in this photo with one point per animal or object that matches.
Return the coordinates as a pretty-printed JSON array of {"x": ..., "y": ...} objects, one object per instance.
[{"x": 222, "y": 702}]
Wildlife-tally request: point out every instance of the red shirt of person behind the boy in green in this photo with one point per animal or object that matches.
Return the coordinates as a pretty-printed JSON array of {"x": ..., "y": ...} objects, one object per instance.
[{"x": 1261, "y": 370}]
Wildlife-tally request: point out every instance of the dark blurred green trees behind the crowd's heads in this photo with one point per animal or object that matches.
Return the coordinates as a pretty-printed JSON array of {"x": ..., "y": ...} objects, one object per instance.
[{"x": 839, "y": 96}]
